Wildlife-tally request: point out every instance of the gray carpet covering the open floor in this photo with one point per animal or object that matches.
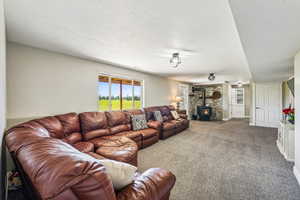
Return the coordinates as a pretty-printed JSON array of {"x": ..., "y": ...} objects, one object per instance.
[{"x": 224, "y": 160}]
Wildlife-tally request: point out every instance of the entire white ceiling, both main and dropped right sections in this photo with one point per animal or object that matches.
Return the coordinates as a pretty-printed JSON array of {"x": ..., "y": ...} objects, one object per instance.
[{"x": 142, "y": 34}]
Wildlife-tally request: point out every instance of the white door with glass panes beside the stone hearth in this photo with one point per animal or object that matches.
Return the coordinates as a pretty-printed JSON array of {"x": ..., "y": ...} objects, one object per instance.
[{"x": 237, "y": 103}]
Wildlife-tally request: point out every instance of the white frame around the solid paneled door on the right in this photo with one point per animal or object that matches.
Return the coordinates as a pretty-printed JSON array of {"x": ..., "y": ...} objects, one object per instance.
[{"x": 253, "y": 113}]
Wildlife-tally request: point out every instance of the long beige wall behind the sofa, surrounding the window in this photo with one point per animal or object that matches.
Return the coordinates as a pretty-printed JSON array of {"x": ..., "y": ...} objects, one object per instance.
[{"x": 45, "y": 83}]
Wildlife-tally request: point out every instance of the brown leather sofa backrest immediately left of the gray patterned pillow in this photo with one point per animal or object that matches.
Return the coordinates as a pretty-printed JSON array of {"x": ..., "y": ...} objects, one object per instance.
[{"x": 118, "y": 121}]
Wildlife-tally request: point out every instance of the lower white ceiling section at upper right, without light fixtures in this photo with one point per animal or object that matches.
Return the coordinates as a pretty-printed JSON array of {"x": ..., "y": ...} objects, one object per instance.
[{"x": 270, "y": 33}]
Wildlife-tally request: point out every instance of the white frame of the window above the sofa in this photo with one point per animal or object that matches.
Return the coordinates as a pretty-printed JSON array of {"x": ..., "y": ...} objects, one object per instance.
[{"x": 110, "y": 77}]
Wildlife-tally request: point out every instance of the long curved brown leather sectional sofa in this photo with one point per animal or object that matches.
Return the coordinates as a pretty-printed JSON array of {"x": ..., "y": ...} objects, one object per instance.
[{"x": 51, "y": 154}]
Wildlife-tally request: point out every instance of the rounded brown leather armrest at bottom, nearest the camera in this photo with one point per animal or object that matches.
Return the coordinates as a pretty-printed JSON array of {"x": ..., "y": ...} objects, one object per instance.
[{"x": 154, "y": 184}]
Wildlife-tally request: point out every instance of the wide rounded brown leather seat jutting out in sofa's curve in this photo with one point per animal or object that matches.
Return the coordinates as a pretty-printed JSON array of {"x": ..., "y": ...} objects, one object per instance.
[{"x": 121, "y": 149}]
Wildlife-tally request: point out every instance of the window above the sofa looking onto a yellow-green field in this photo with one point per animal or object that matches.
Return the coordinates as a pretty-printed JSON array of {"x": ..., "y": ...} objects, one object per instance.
[{"x": 119, "y": 94}]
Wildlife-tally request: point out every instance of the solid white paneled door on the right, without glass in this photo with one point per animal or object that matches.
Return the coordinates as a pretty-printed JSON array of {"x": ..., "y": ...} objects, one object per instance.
[{"x": 267, "y": 104}]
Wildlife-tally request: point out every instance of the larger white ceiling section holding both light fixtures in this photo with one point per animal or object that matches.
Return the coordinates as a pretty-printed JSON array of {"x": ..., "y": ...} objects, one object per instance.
[{"x": 137, "y": 34}]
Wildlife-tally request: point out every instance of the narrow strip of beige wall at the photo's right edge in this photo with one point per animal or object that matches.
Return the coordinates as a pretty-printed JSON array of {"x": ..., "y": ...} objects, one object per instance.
[{"x": 297, "y": 114}]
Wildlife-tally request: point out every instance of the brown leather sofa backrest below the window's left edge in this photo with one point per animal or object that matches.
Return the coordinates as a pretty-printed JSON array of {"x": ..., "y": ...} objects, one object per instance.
[{"x": 93, "y": 125}]
